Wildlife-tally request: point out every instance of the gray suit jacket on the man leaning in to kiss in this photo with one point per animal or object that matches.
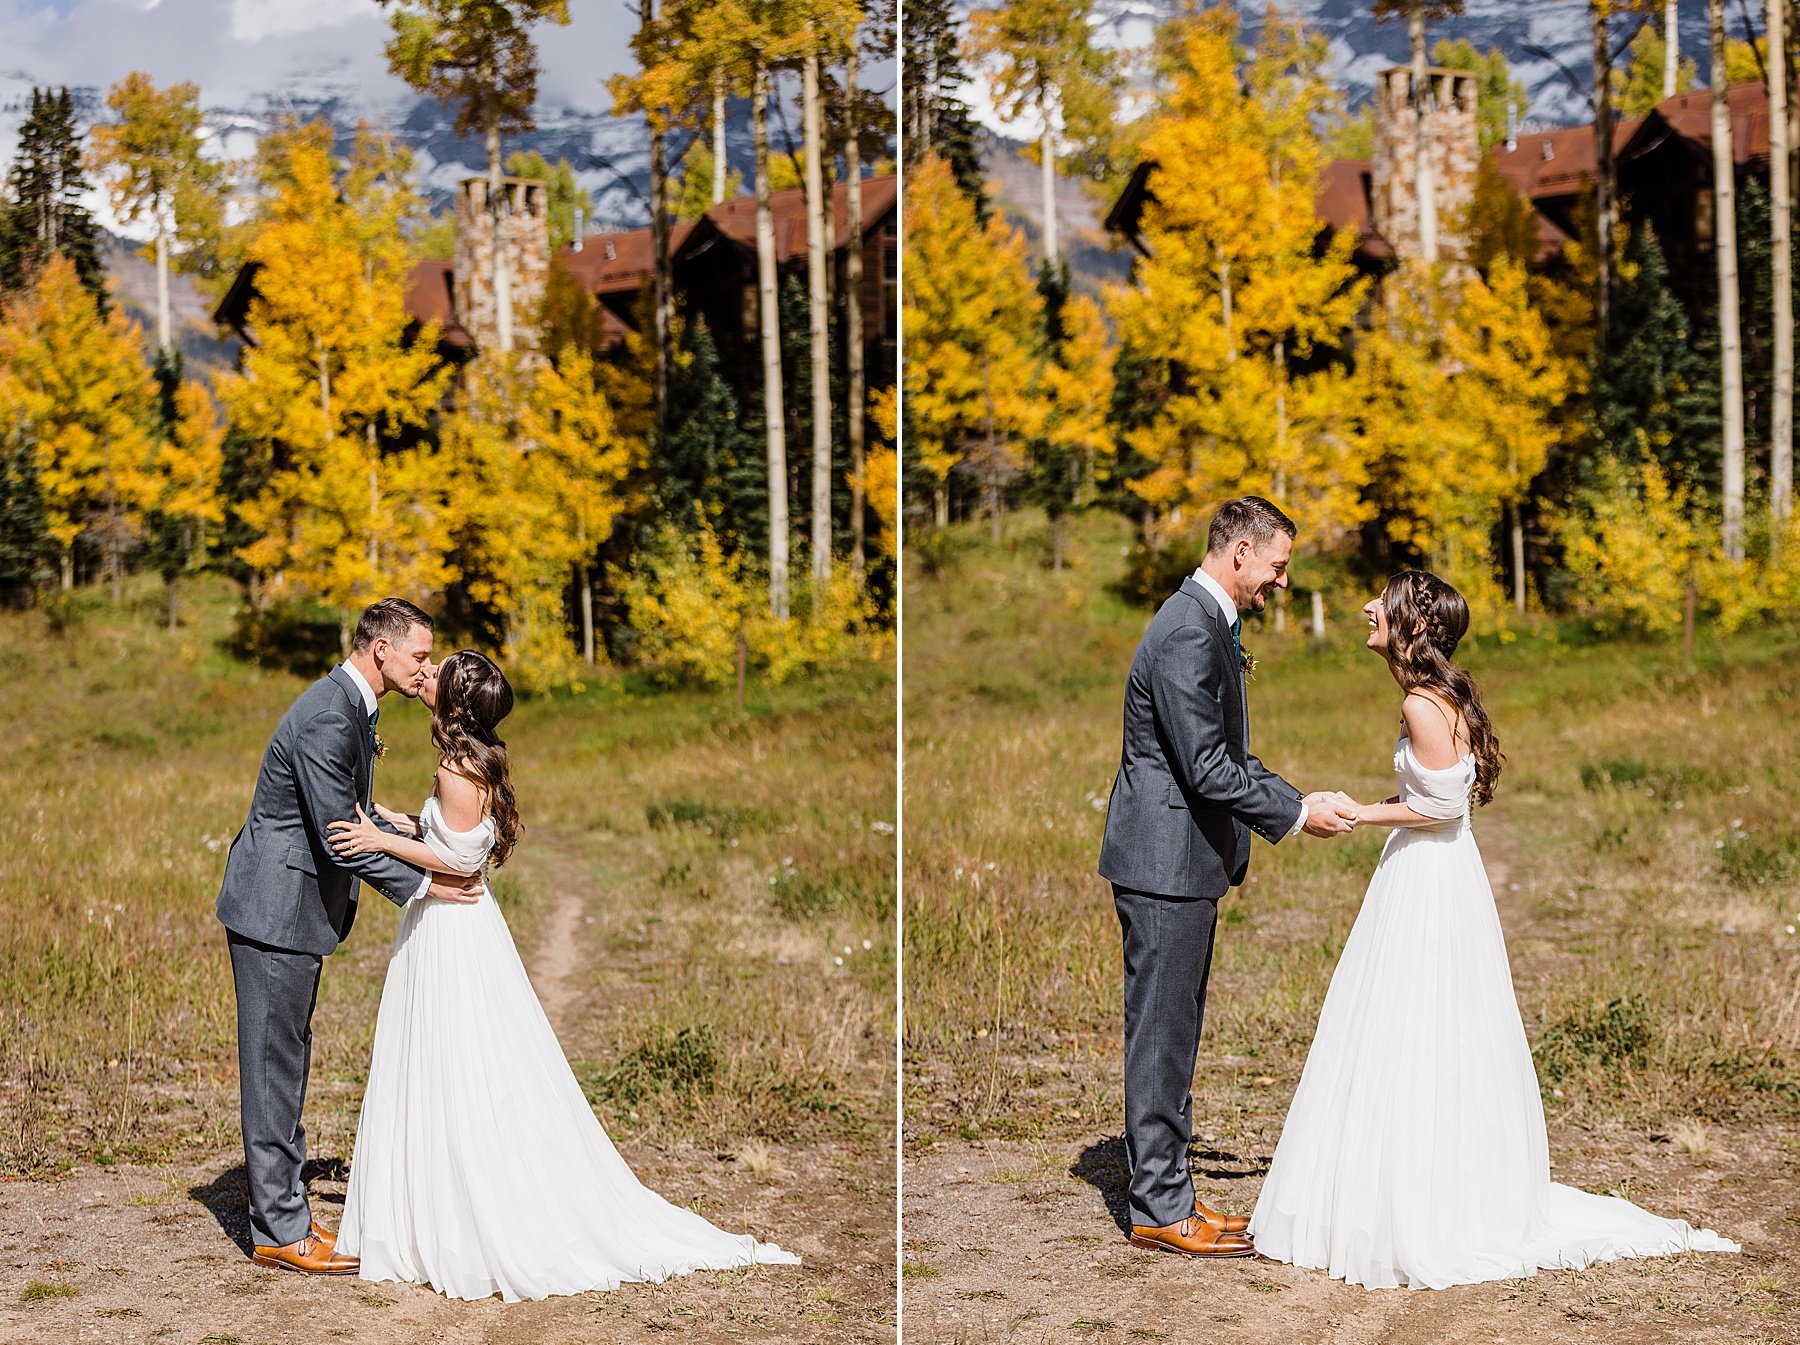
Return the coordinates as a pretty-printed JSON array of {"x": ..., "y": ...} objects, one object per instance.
[{"x": 283, "y": 887}]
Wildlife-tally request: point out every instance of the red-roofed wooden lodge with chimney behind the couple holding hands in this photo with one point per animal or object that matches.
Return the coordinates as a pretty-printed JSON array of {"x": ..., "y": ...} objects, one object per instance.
[{"x": 1664, "y": 177}]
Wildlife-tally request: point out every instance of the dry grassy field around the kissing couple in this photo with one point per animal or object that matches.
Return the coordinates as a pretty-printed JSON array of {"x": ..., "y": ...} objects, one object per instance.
[{"x": 735, "y": 975}]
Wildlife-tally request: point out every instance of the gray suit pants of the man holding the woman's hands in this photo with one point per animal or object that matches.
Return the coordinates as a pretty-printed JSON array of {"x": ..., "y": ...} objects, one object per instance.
[{"x": 1169, "y": 955}]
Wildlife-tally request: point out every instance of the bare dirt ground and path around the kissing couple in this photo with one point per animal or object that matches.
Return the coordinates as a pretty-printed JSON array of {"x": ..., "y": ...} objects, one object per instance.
[{"x": 159, "y": 1254}]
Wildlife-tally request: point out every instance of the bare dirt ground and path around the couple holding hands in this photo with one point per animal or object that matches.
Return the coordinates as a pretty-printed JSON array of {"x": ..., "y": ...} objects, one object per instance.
[{"x": 1025, "y": 1243}]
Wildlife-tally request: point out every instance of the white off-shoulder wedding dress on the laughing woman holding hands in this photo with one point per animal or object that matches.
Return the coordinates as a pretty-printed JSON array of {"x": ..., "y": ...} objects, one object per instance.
[{"x": 1416, "y": 1151}]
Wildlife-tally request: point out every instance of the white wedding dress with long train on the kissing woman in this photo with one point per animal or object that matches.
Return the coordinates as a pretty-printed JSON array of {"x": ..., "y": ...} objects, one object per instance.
[{"x": 480, "y": 1166}]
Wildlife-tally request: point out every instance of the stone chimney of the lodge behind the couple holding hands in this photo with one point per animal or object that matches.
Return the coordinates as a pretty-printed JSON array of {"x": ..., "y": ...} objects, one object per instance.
[{"x": 1455, "y": 150}]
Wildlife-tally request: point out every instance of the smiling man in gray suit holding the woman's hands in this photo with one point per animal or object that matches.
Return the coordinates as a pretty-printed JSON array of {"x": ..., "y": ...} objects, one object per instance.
[{"x": 1185, "y": 802}]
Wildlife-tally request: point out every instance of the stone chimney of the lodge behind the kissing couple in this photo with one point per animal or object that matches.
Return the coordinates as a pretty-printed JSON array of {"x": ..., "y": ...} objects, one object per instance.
[{"x": 525, "y": 233}]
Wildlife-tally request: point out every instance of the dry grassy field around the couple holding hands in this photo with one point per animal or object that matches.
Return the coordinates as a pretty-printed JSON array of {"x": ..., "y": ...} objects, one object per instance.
[{"x": 1644, "y": 838}]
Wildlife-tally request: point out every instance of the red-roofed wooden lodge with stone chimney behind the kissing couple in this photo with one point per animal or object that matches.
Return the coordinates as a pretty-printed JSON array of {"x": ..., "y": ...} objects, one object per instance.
[{"x": 714, "y": 267}]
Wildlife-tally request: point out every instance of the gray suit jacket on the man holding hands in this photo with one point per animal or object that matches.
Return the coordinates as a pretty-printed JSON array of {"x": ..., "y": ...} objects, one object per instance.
[{"x": 1189, "y": 793}]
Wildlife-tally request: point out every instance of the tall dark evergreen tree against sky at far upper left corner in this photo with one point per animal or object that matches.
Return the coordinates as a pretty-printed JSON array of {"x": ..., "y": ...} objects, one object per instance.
[{"x": 44, "y": 212}]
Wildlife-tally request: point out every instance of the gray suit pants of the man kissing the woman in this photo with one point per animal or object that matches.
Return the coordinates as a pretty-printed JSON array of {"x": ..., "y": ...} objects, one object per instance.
[{"x": 276, "y": 997}]
